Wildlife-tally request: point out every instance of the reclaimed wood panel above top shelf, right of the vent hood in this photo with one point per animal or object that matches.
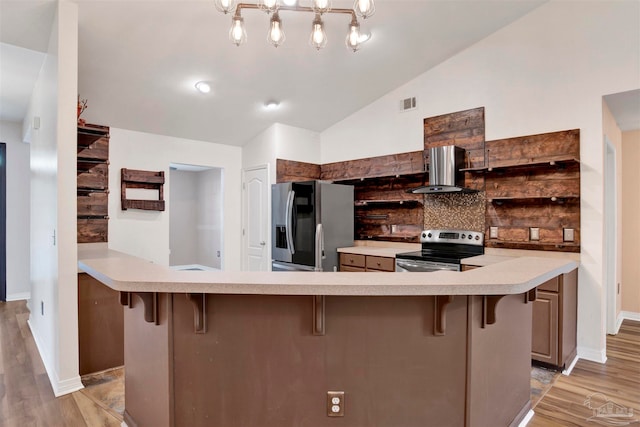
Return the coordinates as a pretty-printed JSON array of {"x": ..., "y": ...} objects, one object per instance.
[{"x": 531, "y": 148}]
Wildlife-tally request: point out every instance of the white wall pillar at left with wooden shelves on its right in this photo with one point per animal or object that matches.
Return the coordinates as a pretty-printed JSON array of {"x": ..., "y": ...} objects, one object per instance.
[{"x": 53, "y": 267}]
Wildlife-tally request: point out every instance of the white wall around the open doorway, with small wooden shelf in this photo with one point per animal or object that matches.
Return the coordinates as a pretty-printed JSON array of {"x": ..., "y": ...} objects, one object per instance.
[{"x": 146, "y": 233}]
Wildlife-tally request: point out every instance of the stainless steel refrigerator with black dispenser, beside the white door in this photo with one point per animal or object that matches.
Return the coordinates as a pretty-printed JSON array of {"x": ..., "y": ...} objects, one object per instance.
[{"x": 310, "y": 220}]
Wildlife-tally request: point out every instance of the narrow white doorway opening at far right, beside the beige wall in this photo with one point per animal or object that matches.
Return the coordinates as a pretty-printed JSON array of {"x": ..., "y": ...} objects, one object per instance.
[{"x": 610, "y": 233}]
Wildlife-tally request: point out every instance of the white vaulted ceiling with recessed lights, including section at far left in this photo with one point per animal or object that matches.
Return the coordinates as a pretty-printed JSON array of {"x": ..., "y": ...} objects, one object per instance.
[{"x": 139, "y": 61}]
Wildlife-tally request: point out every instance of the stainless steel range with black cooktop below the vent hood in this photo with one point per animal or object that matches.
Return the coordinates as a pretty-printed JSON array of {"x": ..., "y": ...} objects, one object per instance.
[{"x": 441, "y": 250}]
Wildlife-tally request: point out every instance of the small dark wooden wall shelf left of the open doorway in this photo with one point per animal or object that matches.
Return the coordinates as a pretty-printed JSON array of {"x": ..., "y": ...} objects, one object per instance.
[{"x": 148, "y": 180}]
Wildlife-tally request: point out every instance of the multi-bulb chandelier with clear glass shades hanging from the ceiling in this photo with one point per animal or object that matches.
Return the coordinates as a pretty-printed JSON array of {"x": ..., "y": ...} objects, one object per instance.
[{"x": 276, "y": 35}]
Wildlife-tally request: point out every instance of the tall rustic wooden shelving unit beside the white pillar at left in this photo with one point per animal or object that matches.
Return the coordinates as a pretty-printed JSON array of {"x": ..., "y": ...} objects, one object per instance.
[{"x": 92, "y": 183}]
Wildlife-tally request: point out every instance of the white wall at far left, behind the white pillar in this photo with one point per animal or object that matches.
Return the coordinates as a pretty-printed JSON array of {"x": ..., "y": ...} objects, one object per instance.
[{"x": 18, "y": 204}]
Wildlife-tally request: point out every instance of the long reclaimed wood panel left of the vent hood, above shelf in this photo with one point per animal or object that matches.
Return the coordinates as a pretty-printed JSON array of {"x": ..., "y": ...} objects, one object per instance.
[{"x": 372, "y": 167}]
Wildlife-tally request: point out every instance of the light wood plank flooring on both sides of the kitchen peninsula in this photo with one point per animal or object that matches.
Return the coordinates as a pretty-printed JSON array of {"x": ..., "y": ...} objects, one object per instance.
[{"x": 26, "y": 397}]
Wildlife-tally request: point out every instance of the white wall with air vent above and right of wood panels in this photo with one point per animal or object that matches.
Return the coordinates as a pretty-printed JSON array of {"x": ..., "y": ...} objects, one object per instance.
[{"x": 545, "y": 72}]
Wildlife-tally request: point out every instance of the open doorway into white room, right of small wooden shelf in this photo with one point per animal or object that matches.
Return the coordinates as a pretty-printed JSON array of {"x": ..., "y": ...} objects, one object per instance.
[{"x": 195, "y": 217}]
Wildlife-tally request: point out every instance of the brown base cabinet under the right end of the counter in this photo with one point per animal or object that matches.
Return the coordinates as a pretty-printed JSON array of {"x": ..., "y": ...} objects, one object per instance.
[{"x": 553, "y": 341}]
